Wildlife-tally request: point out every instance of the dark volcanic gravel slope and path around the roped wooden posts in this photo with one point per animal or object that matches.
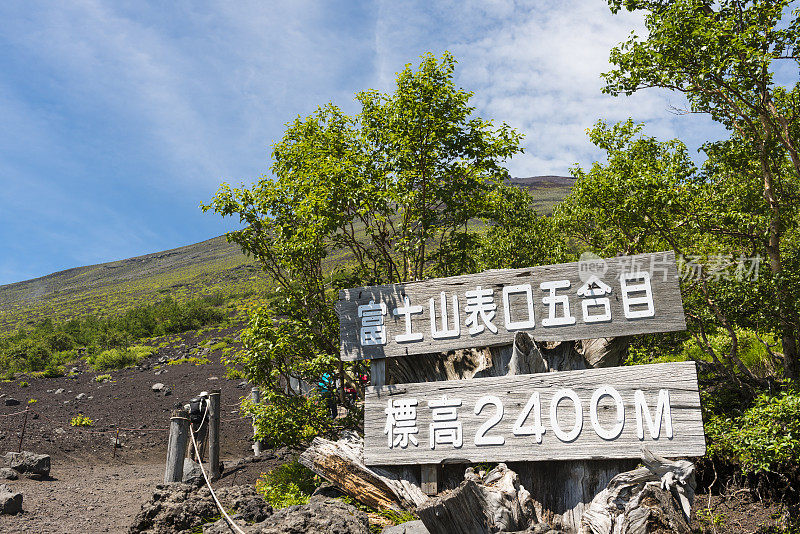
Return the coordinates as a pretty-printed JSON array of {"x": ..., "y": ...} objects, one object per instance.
[{"x": 93, "y": 487}]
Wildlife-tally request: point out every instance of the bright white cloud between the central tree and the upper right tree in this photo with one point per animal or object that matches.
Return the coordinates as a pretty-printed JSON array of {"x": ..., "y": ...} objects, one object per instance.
[{"x": 536, "y": 66}]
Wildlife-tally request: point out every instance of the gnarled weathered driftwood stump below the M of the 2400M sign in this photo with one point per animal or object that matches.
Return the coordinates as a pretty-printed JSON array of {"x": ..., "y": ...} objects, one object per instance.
[{"x": 640, "y": 501}]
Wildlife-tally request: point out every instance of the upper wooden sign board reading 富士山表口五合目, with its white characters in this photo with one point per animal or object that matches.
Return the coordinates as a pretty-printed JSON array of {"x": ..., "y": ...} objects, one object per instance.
[{"x": 591, "y": 298}]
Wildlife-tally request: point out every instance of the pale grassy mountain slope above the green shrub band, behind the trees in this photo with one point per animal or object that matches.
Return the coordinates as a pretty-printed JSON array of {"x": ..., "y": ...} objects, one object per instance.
[{"x": 184, "y": 273}]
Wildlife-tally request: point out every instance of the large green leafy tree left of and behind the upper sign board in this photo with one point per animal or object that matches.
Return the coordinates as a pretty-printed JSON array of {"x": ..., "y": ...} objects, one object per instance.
[{"x": 404, "y": 189}]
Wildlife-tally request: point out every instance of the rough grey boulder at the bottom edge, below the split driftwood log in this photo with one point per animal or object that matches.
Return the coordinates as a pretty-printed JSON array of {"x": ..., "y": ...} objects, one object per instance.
[{"x": 320, "y": 516}]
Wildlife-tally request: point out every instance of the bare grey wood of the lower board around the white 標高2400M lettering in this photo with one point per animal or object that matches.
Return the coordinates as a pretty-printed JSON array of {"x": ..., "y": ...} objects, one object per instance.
[{"x": 514, "y": 392}]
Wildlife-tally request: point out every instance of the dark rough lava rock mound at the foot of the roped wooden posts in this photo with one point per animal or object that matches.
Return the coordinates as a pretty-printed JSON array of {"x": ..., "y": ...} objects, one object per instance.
[{"x": 182, "y": 508}]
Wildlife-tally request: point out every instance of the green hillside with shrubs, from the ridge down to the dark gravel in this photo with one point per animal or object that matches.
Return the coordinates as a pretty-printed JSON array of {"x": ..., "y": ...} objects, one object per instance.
[{"x": 107, "y": 309}]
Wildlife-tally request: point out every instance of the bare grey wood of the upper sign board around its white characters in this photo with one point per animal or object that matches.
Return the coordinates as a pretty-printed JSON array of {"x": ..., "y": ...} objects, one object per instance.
[{"x": 668, "y": 309}]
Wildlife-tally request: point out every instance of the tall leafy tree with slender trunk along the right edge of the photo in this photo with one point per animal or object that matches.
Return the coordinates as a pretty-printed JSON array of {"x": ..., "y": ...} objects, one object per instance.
[{"x": 723, "y": 56}]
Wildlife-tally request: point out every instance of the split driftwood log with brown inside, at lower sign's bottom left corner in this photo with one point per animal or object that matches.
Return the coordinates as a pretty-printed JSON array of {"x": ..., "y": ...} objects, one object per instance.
[{"x": 341, "y": 463}]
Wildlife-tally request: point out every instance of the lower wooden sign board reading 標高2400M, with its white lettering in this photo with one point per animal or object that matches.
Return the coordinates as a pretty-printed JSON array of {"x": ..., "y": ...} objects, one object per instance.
[{"x": 574, "y": 415}]
